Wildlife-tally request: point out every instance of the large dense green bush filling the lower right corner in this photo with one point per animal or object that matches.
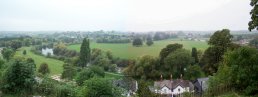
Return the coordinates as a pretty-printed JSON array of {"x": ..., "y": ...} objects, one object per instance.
[{"x": 238, "y": 70}]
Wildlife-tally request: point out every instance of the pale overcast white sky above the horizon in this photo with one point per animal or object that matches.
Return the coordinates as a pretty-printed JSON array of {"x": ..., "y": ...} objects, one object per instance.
[{"x": 123, "y": 15}]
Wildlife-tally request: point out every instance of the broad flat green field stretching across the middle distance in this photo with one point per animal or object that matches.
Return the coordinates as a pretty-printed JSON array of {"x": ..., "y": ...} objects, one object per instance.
[{"x": 128, "y": 51}]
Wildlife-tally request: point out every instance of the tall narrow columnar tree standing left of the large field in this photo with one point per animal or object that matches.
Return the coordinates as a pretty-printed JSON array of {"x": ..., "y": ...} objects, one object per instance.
[{"x": 85, "y": 52}]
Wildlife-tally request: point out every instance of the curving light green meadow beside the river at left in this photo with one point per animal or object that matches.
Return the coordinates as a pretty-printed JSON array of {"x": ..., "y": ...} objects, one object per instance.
[{"x": 55, "y": 66}]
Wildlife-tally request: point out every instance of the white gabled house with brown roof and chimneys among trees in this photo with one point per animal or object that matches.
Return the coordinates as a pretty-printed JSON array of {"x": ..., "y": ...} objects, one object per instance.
[{"x": 172, "y": 87}]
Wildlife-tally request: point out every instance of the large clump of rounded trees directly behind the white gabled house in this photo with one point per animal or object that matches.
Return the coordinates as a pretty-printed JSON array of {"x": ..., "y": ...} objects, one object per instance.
[{"x": 173, "y": 60}]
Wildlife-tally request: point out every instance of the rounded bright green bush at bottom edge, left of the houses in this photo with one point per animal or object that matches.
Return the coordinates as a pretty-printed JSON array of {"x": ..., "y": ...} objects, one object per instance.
[{"x": 99, "y": 87}]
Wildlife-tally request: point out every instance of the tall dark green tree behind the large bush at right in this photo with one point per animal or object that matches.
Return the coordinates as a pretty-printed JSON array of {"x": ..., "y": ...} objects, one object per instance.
[{"x": 220, "y": 42}]
